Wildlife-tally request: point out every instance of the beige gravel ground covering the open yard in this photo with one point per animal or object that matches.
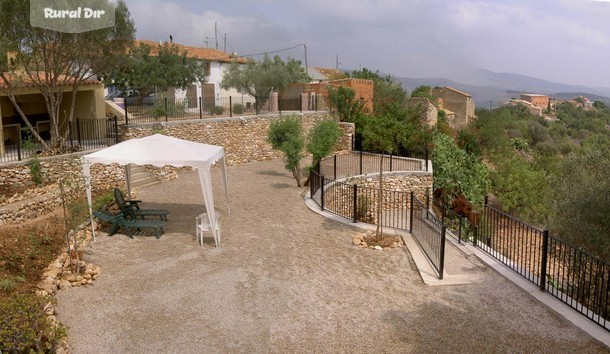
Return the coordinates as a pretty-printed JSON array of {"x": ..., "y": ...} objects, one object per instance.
[{"x": 286, "y": 279}]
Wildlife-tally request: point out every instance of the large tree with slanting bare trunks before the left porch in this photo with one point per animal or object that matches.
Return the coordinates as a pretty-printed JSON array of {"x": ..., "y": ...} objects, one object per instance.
[{"x": 49, "y": 60}]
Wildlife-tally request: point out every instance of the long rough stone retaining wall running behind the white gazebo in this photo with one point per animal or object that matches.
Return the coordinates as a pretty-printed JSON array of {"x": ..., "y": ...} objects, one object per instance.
[{"x": 244, "y": 139}]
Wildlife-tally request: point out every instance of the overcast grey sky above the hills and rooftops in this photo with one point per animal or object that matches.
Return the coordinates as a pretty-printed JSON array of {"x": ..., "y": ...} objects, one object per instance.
[{"x": 566, "y": 41}]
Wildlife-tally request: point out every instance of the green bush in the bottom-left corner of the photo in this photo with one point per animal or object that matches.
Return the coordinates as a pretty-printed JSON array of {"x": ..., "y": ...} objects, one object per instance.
[{"x": 24, "y": 327}]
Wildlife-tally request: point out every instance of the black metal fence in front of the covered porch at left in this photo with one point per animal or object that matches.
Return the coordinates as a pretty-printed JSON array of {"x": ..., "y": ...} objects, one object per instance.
[{"x": 81, "y": 135}]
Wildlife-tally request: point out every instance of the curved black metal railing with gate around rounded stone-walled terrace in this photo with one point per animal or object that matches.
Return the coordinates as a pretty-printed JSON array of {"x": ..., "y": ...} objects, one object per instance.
[{"x": 400, "y": 209}]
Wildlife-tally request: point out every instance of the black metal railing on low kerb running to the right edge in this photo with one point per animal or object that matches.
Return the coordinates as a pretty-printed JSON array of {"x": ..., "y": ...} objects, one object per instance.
[{"x": 570, "y": 274}]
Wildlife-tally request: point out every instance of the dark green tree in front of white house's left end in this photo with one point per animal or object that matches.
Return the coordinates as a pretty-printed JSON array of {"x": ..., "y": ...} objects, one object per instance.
[{"x": 155, "y": 67}]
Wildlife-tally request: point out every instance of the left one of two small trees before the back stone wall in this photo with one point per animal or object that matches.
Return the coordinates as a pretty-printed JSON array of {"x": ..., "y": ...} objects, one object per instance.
[{"x": 285, "y": 135}]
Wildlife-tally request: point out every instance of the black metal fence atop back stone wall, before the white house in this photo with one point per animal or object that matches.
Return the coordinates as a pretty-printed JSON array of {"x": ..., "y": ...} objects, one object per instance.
[{"x": 164, "y": 109}]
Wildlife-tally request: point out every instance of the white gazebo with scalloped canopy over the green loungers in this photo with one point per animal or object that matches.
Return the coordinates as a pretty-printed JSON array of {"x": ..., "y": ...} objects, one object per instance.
[{"x": 161, "y": 150}]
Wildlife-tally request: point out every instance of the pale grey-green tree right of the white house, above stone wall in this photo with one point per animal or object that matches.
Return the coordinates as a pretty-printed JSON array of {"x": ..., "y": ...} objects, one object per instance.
[{"x": 259, "y": 79}]
